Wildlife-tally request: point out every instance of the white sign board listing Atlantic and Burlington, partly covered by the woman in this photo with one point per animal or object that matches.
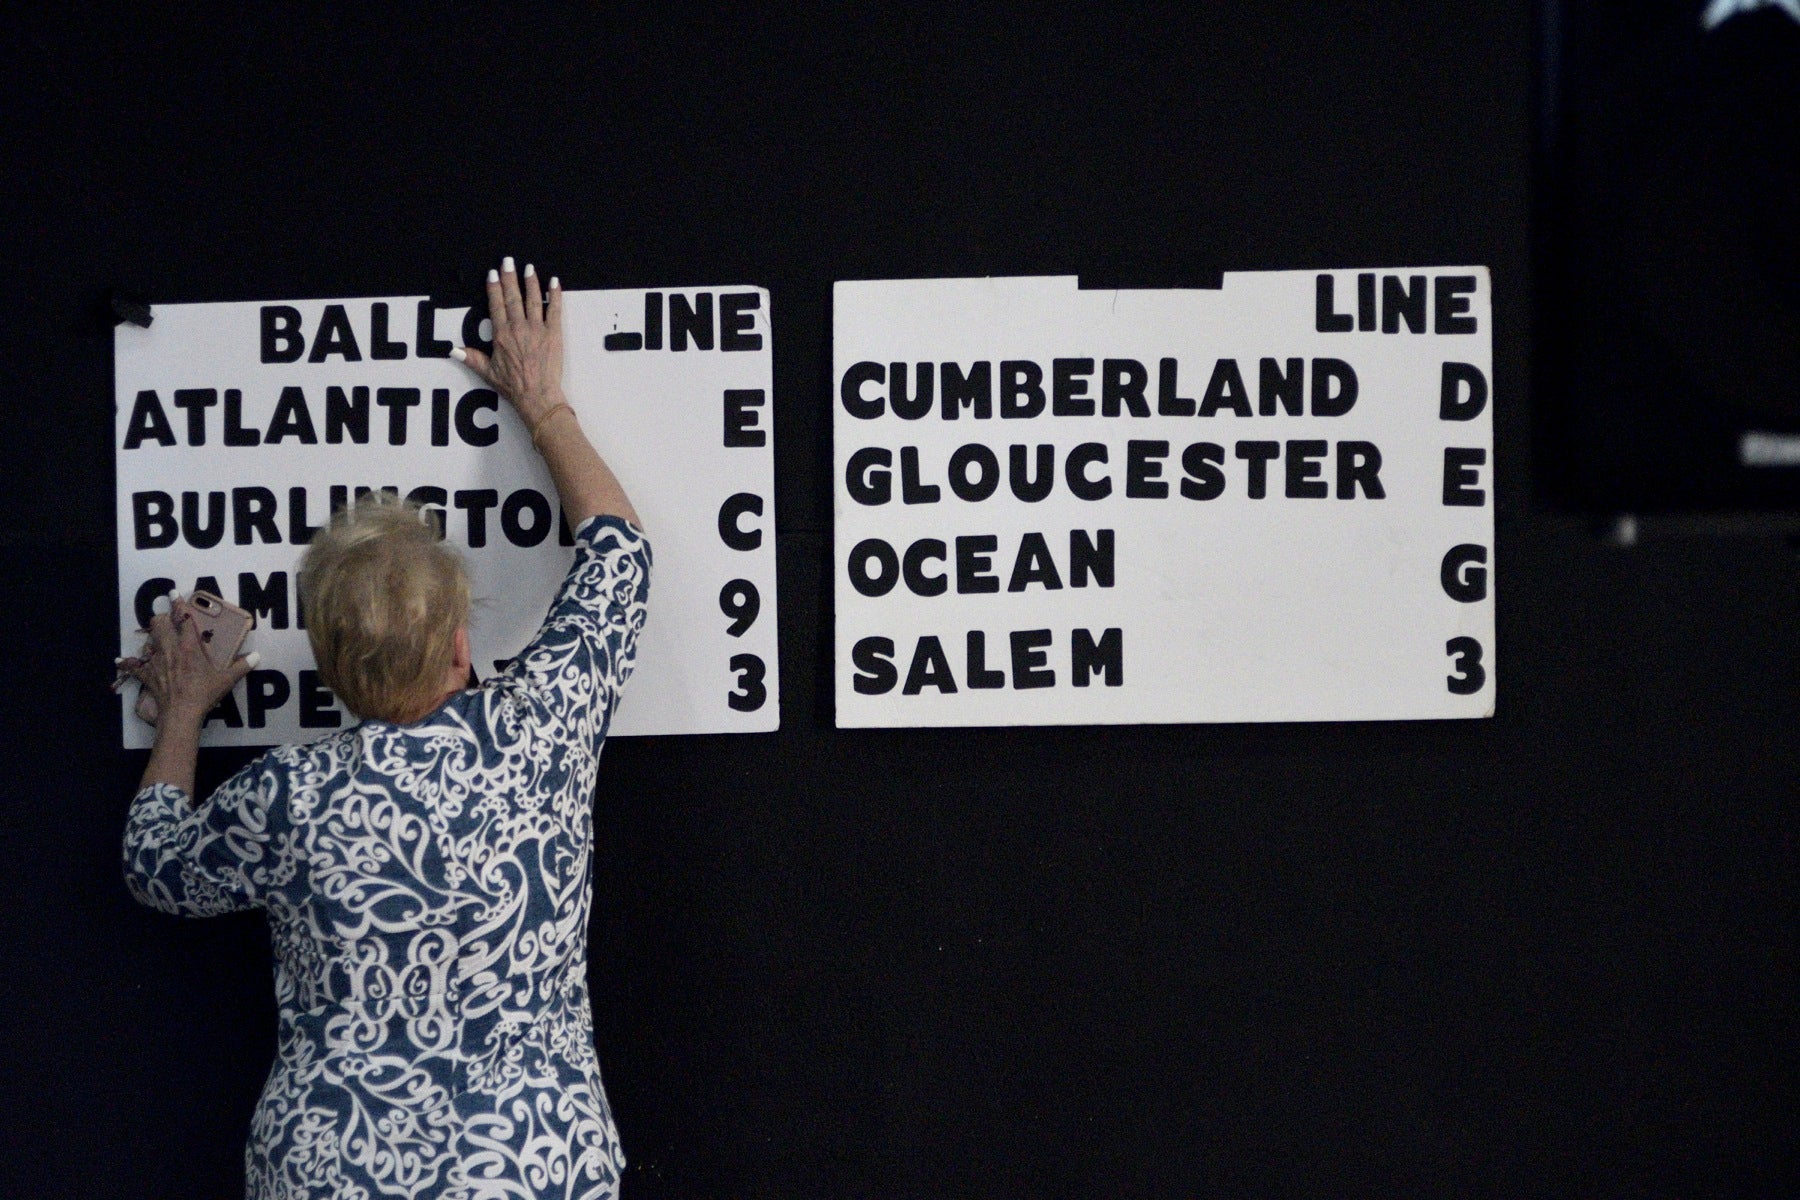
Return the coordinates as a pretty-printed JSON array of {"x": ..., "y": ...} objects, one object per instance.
[{"x": 240, "y": 427}]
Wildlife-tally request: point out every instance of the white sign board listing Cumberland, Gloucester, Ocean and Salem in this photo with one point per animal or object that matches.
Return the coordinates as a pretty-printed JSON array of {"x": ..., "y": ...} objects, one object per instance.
[{"x": 1263, "y": 503}]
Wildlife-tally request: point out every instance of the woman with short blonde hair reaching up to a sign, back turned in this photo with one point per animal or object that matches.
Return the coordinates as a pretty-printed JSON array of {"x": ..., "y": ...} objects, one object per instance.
[{"x": 426, "y": 873}]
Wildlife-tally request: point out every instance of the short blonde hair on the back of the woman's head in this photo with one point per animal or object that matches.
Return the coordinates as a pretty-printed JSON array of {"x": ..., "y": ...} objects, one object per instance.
[{"x": 384, "y": 600}]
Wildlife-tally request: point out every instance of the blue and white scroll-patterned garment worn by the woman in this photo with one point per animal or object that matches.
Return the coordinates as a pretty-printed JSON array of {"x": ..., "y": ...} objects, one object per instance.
[{"x": 427, "y": 890}]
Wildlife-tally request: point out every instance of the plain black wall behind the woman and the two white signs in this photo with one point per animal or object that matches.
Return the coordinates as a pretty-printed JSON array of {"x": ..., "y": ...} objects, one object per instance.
[{"x": 1545, "y": 954}]
